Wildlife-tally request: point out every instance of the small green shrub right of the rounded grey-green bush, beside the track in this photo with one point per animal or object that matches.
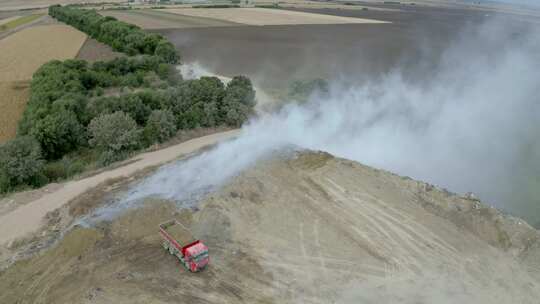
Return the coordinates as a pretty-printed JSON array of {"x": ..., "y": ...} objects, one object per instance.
[{"x": 161, "y": 125}]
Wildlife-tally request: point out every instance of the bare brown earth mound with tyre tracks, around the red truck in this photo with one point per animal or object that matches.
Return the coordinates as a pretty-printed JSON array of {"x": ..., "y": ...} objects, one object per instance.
[{"x": 302, "y": 228}]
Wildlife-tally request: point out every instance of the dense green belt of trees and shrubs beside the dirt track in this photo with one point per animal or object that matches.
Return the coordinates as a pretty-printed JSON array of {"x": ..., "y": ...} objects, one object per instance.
[{"x": 81, "y": 113}]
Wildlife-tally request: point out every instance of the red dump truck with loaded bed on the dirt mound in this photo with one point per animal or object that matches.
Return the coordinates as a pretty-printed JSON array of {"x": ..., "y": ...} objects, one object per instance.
[{"x": 179, "y": 241}]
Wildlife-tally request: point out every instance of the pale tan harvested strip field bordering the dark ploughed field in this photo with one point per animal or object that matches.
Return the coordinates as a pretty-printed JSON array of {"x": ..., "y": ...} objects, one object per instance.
[{"x": 263, "y": 16}]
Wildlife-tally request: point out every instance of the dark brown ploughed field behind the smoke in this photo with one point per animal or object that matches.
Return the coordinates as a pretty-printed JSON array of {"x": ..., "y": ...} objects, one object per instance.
[{"x": 275, "y": 55}]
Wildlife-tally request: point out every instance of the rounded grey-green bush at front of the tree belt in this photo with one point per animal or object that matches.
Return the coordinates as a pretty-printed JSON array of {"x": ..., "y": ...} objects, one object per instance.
[{"x": 114, "y": 133}]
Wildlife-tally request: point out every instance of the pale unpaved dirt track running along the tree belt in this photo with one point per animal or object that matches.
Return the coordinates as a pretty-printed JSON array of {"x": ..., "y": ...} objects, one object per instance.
[{"x": 29, "y": 217}]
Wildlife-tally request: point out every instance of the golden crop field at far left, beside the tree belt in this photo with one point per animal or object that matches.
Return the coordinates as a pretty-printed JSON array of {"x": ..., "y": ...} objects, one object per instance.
[{"x": 22, "y": 53}]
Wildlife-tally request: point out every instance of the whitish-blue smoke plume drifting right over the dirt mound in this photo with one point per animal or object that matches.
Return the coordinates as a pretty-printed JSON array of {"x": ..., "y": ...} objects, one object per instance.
[{"x": 472, "y": 125}]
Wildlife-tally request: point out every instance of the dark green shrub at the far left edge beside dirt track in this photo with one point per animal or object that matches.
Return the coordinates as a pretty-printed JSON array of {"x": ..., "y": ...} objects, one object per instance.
[{"x": 21, "y": 163}]
